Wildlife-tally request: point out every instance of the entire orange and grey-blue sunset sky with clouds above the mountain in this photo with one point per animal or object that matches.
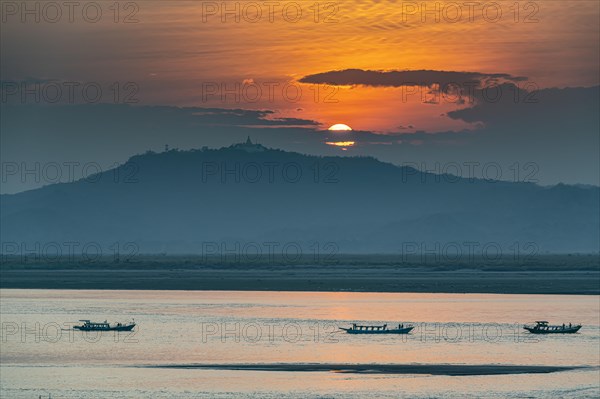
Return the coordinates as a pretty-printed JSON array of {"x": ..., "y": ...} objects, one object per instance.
[{"x": 432, "y": 83}]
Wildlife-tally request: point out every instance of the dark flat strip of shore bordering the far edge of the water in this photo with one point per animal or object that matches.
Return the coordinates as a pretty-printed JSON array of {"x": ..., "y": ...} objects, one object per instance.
[{"x": 310, "y": 279}]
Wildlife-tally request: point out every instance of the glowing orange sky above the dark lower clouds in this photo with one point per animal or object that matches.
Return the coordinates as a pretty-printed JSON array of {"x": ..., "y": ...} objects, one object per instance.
[{"x": 179, "y": 47}]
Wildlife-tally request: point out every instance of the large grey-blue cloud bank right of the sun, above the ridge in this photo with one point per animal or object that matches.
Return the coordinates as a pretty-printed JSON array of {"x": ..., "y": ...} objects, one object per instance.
[{"x": 550, "y": 135}]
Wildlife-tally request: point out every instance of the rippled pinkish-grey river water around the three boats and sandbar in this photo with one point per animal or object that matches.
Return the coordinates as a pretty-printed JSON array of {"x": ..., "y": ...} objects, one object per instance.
[{"x": 40, "y": 355}]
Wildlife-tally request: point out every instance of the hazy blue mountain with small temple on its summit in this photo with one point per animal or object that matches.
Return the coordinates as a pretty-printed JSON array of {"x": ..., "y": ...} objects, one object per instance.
[{"x": 250, "y": 199}]
